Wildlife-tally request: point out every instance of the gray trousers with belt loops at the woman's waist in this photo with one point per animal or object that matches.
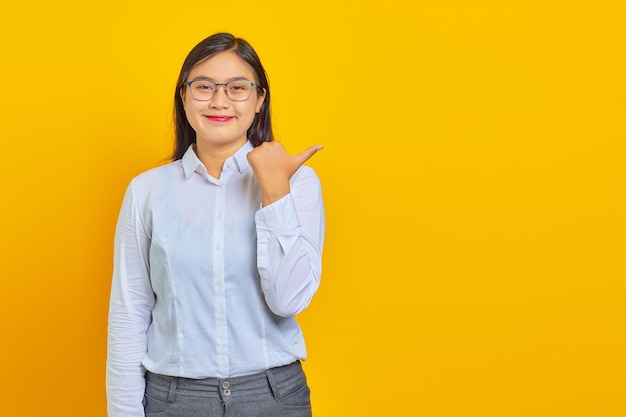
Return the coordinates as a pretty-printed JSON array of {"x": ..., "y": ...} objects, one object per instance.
[{"x": 278, "y": 392}]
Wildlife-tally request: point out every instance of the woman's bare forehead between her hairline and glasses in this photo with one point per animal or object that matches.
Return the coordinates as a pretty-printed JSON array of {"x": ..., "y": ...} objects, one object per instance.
[{"x": 222, "y": 66}]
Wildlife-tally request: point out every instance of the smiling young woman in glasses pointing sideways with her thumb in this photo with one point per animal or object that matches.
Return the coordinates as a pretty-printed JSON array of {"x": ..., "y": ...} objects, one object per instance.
[{"x": 215, "y": 253}]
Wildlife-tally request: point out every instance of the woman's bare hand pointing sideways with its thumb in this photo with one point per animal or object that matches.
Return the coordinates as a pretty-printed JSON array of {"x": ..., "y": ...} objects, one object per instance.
[{"x": 273, "y": 168}]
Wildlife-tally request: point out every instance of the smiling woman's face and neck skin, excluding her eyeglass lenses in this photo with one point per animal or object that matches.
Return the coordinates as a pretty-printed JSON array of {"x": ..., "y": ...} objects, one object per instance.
[{"x": 221, "y": 121}]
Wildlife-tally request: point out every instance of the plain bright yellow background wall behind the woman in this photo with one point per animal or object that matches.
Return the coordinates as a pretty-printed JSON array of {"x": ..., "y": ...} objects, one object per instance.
[{"x": 473, "y": 173}]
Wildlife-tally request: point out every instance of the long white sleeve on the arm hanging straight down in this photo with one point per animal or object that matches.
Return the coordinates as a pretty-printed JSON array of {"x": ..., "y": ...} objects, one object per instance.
[{"x": 131, "y": 303}]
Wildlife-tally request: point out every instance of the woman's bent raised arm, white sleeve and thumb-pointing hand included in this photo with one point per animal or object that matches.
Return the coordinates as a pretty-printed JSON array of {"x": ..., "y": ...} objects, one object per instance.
[{"x": 290, "y": 228}]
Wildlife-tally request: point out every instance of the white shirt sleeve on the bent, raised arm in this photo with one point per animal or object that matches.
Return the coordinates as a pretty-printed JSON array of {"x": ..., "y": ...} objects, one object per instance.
[{"x": 290, "y": 237}]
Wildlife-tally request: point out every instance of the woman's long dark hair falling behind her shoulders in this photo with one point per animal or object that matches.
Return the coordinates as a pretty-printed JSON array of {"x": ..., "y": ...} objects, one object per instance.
[{"x": 261, "y": 129}]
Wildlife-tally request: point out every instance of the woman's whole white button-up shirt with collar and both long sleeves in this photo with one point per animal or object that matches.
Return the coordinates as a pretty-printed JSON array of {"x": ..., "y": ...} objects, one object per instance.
[{"x": 206, "y": 283}]
